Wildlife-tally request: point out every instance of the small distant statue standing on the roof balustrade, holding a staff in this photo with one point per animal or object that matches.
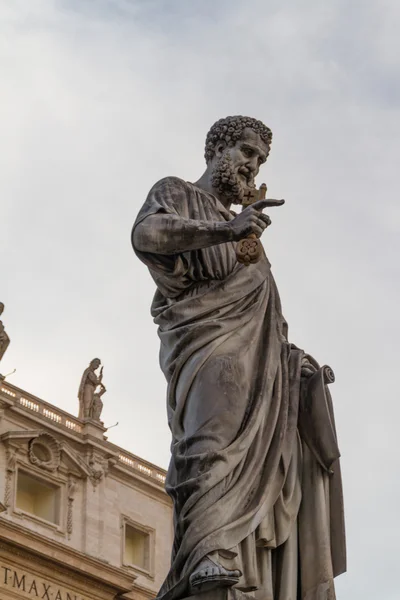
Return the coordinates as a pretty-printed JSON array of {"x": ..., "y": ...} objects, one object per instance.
[{"x": 90, "y": 392}]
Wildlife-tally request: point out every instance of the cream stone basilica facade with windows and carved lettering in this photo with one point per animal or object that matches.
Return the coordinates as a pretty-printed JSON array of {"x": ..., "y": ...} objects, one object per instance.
[{"x": 80, "y": 518}]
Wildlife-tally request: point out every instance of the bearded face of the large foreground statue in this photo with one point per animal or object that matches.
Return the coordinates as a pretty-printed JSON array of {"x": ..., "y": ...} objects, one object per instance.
[{"x": 236, "y": 168}]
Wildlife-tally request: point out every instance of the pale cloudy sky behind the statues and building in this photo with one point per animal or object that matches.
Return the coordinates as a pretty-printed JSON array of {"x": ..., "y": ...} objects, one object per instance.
[{"x": 99, "y": 99}]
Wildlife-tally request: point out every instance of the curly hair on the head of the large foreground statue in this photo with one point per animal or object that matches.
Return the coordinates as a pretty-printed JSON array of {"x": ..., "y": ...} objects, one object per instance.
[{"x": 230, "y": 130}]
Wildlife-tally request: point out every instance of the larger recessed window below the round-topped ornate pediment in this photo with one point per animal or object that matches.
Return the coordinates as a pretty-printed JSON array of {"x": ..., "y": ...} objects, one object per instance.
[{"x": 38, "y": 498}]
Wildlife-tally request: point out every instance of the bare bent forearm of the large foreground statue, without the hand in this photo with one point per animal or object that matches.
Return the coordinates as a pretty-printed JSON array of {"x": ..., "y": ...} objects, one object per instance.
[{"x": 171, "y": 234}]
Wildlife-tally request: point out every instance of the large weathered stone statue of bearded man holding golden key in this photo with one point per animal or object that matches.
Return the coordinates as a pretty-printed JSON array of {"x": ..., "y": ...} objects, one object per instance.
[{"x": 254, "y": 473}]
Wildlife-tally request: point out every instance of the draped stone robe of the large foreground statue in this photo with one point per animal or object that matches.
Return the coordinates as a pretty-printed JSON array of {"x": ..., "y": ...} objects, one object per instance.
[{"x": 246, "y": 488}]
